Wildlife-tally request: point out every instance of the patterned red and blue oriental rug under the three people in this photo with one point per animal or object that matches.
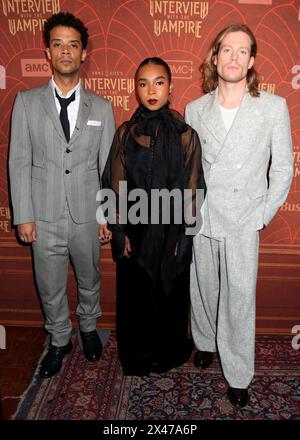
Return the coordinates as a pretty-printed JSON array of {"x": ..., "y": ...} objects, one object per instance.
[{"x": 88, "y": 391}]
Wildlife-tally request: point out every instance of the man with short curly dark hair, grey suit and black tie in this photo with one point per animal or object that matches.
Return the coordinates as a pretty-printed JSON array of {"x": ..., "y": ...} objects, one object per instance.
[{"x": 60, "y": 139}]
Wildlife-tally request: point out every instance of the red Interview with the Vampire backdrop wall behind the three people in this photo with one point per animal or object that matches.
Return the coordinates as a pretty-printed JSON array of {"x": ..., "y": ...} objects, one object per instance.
[{"x": 122, "y": 34}]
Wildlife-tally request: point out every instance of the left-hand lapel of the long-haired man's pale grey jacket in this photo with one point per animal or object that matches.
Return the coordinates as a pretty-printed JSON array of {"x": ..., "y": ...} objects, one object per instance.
[{"x": 212, "y": 118}]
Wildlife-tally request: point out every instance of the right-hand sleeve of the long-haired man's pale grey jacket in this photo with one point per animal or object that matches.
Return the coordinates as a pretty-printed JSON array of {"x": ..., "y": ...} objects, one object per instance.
[{"x": 281, "y": 170}]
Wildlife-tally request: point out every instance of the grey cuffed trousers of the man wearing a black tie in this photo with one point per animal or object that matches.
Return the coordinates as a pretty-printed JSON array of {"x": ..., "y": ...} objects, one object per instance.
[{"x": 56, "y": 243}]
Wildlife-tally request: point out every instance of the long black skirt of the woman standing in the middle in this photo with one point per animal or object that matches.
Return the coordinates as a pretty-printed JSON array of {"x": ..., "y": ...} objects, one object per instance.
[{"x": 152, "y": 327}]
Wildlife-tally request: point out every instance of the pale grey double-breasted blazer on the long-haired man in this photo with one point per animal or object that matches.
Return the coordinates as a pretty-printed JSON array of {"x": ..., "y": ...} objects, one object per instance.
[{"x": 240, "y": 197}]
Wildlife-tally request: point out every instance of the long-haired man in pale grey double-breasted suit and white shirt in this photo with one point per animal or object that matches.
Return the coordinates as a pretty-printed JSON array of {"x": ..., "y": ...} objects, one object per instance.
[{"x": 240, "y": 129}]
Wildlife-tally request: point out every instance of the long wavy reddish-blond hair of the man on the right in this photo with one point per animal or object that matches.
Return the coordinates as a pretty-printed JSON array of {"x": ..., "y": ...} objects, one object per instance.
[{"x": 209, "y": 70}]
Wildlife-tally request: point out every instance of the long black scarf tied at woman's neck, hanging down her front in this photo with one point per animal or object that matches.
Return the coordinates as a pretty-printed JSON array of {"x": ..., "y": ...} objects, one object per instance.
[{"x": 165, "y": 171}]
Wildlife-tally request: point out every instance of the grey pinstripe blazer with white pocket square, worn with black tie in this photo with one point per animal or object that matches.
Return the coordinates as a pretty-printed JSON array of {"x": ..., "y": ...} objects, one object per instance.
[{"x": 40, "y": 156}]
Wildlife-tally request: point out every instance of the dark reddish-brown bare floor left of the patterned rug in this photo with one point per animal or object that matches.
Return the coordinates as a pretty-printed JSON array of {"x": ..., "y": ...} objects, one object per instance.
[{"x": 18, "y": 362}]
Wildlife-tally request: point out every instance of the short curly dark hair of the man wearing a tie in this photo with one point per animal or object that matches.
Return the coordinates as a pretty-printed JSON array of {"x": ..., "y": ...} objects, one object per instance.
[{"x": 65, "y": 19}]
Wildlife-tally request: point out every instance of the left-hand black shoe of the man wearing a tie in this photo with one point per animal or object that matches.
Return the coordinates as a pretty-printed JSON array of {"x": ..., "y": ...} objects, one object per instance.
[{"x": 52, "y": 362}]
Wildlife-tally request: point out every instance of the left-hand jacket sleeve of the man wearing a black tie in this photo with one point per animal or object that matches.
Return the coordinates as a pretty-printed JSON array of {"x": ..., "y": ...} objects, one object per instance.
[{"x": 20, "y": 162}]
